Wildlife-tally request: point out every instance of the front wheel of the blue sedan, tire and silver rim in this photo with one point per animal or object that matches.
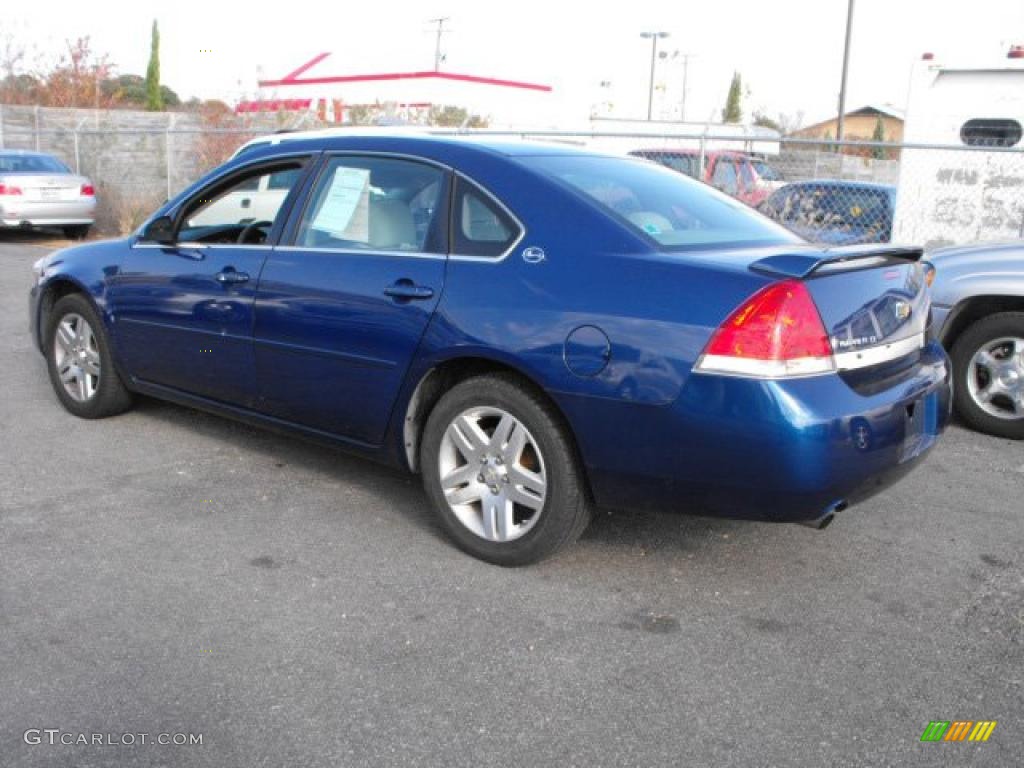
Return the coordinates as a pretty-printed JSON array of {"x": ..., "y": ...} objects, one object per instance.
[{"x": 80, "y": 363}]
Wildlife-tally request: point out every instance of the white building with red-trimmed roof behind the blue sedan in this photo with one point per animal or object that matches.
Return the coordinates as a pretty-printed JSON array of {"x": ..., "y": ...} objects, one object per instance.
[{"x": 399, "y": 97}]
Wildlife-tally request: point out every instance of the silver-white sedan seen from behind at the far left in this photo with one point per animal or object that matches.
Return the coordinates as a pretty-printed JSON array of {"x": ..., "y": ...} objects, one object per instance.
[{"x": 37, "y": 190}]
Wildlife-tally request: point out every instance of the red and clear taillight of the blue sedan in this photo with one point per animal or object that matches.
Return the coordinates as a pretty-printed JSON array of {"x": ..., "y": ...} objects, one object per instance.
[{"x": 776, "y": 333}]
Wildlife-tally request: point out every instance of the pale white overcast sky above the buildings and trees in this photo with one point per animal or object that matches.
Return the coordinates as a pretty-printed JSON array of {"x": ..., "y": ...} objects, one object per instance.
[{"x": 789, "y": 53}]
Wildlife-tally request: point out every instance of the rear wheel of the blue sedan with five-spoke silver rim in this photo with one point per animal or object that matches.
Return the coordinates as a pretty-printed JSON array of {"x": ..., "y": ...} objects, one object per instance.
[{"x": 502, "y": 474}]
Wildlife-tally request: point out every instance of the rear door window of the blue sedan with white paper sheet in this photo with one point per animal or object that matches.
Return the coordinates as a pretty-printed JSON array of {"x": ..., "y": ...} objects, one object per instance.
[{"x": 375, "y": 204}]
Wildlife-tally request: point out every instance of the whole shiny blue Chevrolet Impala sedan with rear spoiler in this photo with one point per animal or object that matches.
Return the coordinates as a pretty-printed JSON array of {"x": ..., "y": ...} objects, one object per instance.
[{"x": 538, "y": 331}]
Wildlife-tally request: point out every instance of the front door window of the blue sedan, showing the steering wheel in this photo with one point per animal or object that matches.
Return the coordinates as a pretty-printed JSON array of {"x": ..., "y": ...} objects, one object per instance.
[{"x": 246, "y": 206}]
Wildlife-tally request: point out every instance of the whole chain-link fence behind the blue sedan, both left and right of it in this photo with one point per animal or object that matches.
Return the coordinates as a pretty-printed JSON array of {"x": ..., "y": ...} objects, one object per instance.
[{"x": 828, "y": 192}]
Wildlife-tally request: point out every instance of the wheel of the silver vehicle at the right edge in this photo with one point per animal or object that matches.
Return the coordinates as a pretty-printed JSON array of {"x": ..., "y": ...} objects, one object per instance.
[{"x": 989, "y": 366}]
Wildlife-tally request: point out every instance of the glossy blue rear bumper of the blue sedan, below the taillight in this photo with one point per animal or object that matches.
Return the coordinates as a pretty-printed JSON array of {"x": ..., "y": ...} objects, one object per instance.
[{"x": 782, "y": 451}]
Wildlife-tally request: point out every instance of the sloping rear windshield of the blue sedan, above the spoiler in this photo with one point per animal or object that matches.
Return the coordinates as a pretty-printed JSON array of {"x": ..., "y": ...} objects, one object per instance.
[{"x": 676, "y": 212}]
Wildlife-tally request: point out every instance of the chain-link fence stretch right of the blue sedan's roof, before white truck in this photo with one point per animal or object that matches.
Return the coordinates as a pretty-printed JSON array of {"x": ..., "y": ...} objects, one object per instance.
[{"x": 841, "y": 193}]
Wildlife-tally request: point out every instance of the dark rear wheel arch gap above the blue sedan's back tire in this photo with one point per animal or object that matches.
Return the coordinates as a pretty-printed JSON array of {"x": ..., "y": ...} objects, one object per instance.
[{"x": 446, "y": 375}]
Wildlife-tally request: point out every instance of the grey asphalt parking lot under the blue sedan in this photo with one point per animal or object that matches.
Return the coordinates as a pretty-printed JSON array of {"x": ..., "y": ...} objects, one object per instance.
[{"x": 168, "y": 572}]
